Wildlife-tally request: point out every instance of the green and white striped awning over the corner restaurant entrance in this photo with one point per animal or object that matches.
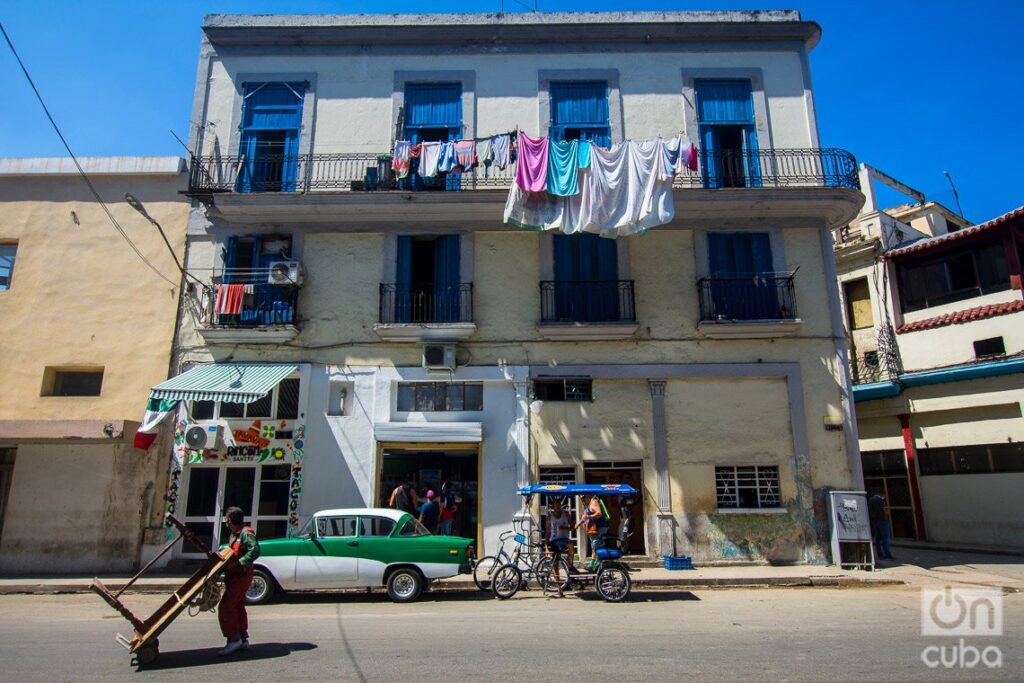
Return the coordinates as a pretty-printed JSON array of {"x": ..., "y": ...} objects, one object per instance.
[{"x": 233, "y": 382}]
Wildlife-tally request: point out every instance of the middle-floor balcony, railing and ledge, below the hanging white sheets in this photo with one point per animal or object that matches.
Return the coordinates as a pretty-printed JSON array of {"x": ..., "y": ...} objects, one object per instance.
[{"x": 588, "y": 310}]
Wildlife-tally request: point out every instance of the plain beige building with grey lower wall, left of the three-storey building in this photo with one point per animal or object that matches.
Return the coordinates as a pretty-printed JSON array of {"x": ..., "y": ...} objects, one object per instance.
[{"x": 88, "y": 330}]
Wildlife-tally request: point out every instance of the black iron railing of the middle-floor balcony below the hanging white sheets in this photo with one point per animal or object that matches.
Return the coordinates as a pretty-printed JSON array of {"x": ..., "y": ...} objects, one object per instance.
[{"x": 588, "y": 302}]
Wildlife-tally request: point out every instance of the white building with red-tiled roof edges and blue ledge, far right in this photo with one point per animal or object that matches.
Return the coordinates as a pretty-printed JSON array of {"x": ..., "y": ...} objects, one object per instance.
[{"x": 936, "y": 319}]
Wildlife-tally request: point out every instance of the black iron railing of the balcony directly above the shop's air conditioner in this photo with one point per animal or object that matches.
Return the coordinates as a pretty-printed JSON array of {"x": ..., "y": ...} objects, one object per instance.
[{"x": 426, "y": 304}]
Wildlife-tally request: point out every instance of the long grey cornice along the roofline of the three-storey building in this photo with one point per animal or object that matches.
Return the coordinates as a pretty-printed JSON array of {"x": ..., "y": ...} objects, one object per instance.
[{"x": 565, "y": 28}]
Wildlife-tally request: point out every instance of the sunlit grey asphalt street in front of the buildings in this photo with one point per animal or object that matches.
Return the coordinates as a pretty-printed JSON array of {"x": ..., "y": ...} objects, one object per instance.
[{"x": 721, "y": 635}]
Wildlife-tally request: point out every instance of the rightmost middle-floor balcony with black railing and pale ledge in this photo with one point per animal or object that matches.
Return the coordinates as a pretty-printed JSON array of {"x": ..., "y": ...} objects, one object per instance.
[{"x": 754, "y": 307}]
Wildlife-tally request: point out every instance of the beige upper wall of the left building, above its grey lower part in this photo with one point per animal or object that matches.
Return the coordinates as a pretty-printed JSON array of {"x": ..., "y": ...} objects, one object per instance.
[{"x": 79, "y": 296}]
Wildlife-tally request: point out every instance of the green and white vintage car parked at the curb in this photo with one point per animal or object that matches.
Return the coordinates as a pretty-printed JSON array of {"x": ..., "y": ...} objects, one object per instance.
[{"x": 359, "y": 548}]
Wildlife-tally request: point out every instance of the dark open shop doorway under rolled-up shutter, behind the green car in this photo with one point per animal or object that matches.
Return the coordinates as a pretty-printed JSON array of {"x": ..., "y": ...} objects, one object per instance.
[{"x": 428, "y": 469}]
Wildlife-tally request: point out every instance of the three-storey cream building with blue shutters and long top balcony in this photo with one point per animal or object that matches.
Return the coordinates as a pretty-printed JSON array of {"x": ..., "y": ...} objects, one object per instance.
[{"x": 387, "y": 330}]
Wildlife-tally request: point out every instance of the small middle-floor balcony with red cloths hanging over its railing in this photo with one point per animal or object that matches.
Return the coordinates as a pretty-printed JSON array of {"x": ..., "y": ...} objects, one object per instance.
[{"x": 251, "y": 307}]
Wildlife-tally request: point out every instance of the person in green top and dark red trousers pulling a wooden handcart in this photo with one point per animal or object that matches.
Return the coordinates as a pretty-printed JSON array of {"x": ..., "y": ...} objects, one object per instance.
[{"x": 238, "y": 577}]
